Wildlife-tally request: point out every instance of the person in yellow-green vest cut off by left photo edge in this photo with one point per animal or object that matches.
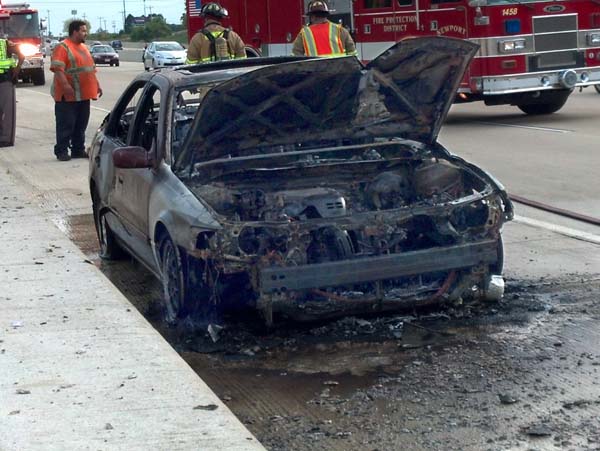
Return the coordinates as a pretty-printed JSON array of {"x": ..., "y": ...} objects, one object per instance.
[{"x": 9, "y": 74}]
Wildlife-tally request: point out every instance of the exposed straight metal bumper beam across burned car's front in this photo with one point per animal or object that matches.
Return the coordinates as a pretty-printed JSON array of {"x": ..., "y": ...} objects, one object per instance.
[{"x": 344, "y": 272}]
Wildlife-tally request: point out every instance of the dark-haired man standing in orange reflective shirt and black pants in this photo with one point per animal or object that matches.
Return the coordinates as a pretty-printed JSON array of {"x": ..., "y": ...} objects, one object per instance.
[{"x": 75, "y": 84}]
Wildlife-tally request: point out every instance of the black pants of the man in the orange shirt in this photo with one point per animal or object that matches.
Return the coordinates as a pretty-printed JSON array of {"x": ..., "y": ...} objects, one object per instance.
[{"x": 71, "y": 121}]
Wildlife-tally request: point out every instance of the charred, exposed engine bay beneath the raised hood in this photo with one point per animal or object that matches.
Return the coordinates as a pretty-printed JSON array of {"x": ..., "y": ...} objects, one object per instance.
[{"x": 347, "y": 203}]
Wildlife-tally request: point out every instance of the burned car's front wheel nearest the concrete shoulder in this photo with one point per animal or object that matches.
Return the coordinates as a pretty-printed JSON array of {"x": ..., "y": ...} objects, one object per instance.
[{"x": 173, "y": 281}]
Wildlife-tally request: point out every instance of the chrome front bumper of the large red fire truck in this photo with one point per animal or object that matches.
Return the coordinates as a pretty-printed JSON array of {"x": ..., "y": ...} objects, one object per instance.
[{"x": 537, "y": 81}]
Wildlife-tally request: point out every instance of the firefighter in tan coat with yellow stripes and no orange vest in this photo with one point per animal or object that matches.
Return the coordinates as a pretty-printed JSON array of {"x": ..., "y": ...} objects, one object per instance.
[{"x": 214, "y": 42}]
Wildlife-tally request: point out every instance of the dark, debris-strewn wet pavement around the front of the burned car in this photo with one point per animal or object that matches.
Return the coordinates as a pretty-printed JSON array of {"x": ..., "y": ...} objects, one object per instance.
[{"x": 521, "y": 374}]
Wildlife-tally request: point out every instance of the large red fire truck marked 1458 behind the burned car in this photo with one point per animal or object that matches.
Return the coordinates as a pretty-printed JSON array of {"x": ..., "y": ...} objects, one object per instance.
[{"x": 533, "y": 53}]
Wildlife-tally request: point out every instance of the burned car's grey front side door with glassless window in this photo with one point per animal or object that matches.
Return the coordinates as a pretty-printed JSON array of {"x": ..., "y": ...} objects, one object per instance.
[{"x": 132, "y": 186}]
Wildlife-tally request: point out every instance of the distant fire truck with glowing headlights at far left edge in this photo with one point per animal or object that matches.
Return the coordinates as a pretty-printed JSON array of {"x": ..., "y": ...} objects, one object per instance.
[{"x": 23, "y": 28}]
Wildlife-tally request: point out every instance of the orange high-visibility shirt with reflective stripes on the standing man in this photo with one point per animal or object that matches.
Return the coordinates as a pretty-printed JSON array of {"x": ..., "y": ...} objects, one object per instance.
[{"x": 79, "y": 68}]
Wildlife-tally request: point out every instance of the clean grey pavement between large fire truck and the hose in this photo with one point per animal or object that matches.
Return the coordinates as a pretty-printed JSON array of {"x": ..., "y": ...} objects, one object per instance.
[{"x": 553, "y": 159}]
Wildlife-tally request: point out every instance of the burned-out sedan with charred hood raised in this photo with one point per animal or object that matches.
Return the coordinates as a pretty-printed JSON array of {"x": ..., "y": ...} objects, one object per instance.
[{"x": 290, "y": 183}]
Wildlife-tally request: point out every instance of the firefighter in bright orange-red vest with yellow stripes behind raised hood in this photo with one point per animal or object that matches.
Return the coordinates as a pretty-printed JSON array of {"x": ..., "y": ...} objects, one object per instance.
[{"x": 322, "y": 37}]
